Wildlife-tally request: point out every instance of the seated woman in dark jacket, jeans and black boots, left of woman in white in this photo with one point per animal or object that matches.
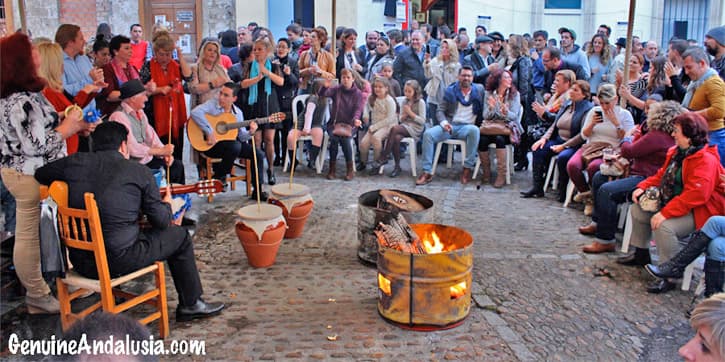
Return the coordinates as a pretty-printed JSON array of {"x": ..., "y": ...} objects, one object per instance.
[{"x": 562, "y": 139}]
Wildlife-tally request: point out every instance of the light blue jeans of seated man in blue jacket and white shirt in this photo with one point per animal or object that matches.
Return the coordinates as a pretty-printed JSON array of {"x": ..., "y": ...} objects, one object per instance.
[{"x": 435, "y": 134}]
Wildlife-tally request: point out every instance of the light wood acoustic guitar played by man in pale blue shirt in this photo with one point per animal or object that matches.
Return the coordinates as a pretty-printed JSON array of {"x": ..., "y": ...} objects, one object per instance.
[{"x": 225, "y": 128}]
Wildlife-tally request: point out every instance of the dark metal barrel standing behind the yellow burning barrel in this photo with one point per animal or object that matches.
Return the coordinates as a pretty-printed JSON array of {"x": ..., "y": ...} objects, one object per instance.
[{"x": 369, "y": 215}]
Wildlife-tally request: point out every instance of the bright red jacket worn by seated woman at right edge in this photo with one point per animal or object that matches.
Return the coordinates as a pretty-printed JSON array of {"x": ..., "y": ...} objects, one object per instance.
[{"x": 702, "y": 193}]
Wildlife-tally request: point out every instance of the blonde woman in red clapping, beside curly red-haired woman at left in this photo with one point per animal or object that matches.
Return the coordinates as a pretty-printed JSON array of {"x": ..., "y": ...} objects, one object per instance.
[{"x": 51, "y": 68}]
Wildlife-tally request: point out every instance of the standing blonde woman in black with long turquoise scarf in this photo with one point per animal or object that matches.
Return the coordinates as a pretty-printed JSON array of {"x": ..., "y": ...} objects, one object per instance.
[{"x": 262, "y": 80}]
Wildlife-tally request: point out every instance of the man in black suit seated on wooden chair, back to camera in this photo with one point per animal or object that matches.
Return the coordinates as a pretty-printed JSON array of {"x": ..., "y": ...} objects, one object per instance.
[{"x": 124, "y": 189}]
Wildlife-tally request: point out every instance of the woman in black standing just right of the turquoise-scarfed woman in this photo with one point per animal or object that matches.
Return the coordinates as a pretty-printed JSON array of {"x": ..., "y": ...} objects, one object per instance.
[{"x": 285, "y": 94}]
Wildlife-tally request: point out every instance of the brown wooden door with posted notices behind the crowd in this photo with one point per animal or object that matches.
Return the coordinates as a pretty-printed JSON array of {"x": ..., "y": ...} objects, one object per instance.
[{"x": 180, "y": 17}]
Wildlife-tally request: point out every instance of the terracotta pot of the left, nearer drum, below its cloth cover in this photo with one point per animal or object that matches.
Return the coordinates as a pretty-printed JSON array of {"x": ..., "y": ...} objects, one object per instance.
[{"x": 261, "y": 253}]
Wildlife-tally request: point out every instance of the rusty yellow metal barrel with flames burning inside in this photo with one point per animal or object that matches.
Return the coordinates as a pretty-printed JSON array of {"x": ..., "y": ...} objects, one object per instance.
[{"x": 416, "y": 291}]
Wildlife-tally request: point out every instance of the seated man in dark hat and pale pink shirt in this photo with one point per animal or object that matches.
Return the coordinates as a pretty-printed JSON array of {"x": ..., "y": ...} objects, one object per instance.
[{"x": 144, "y": 145}]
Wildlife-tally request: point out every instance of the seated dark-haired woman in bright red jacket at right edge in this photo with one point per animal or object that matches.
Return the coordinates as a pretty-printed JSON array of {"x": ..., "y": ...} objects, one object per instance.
[{"x": 688, "y": 182}]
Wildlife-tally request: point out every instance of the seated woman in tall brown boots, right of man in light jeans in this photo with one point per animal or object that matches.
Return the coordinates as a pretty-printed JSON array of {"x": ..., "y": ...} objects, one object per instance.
[{"x": 500, "y": 123}]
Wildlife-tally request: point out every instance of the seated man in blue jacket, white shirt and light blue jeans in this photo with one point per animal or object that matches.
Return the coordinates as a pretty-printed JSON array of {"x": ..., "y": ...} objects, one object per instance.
[{"x": 462, "y": 106}]
